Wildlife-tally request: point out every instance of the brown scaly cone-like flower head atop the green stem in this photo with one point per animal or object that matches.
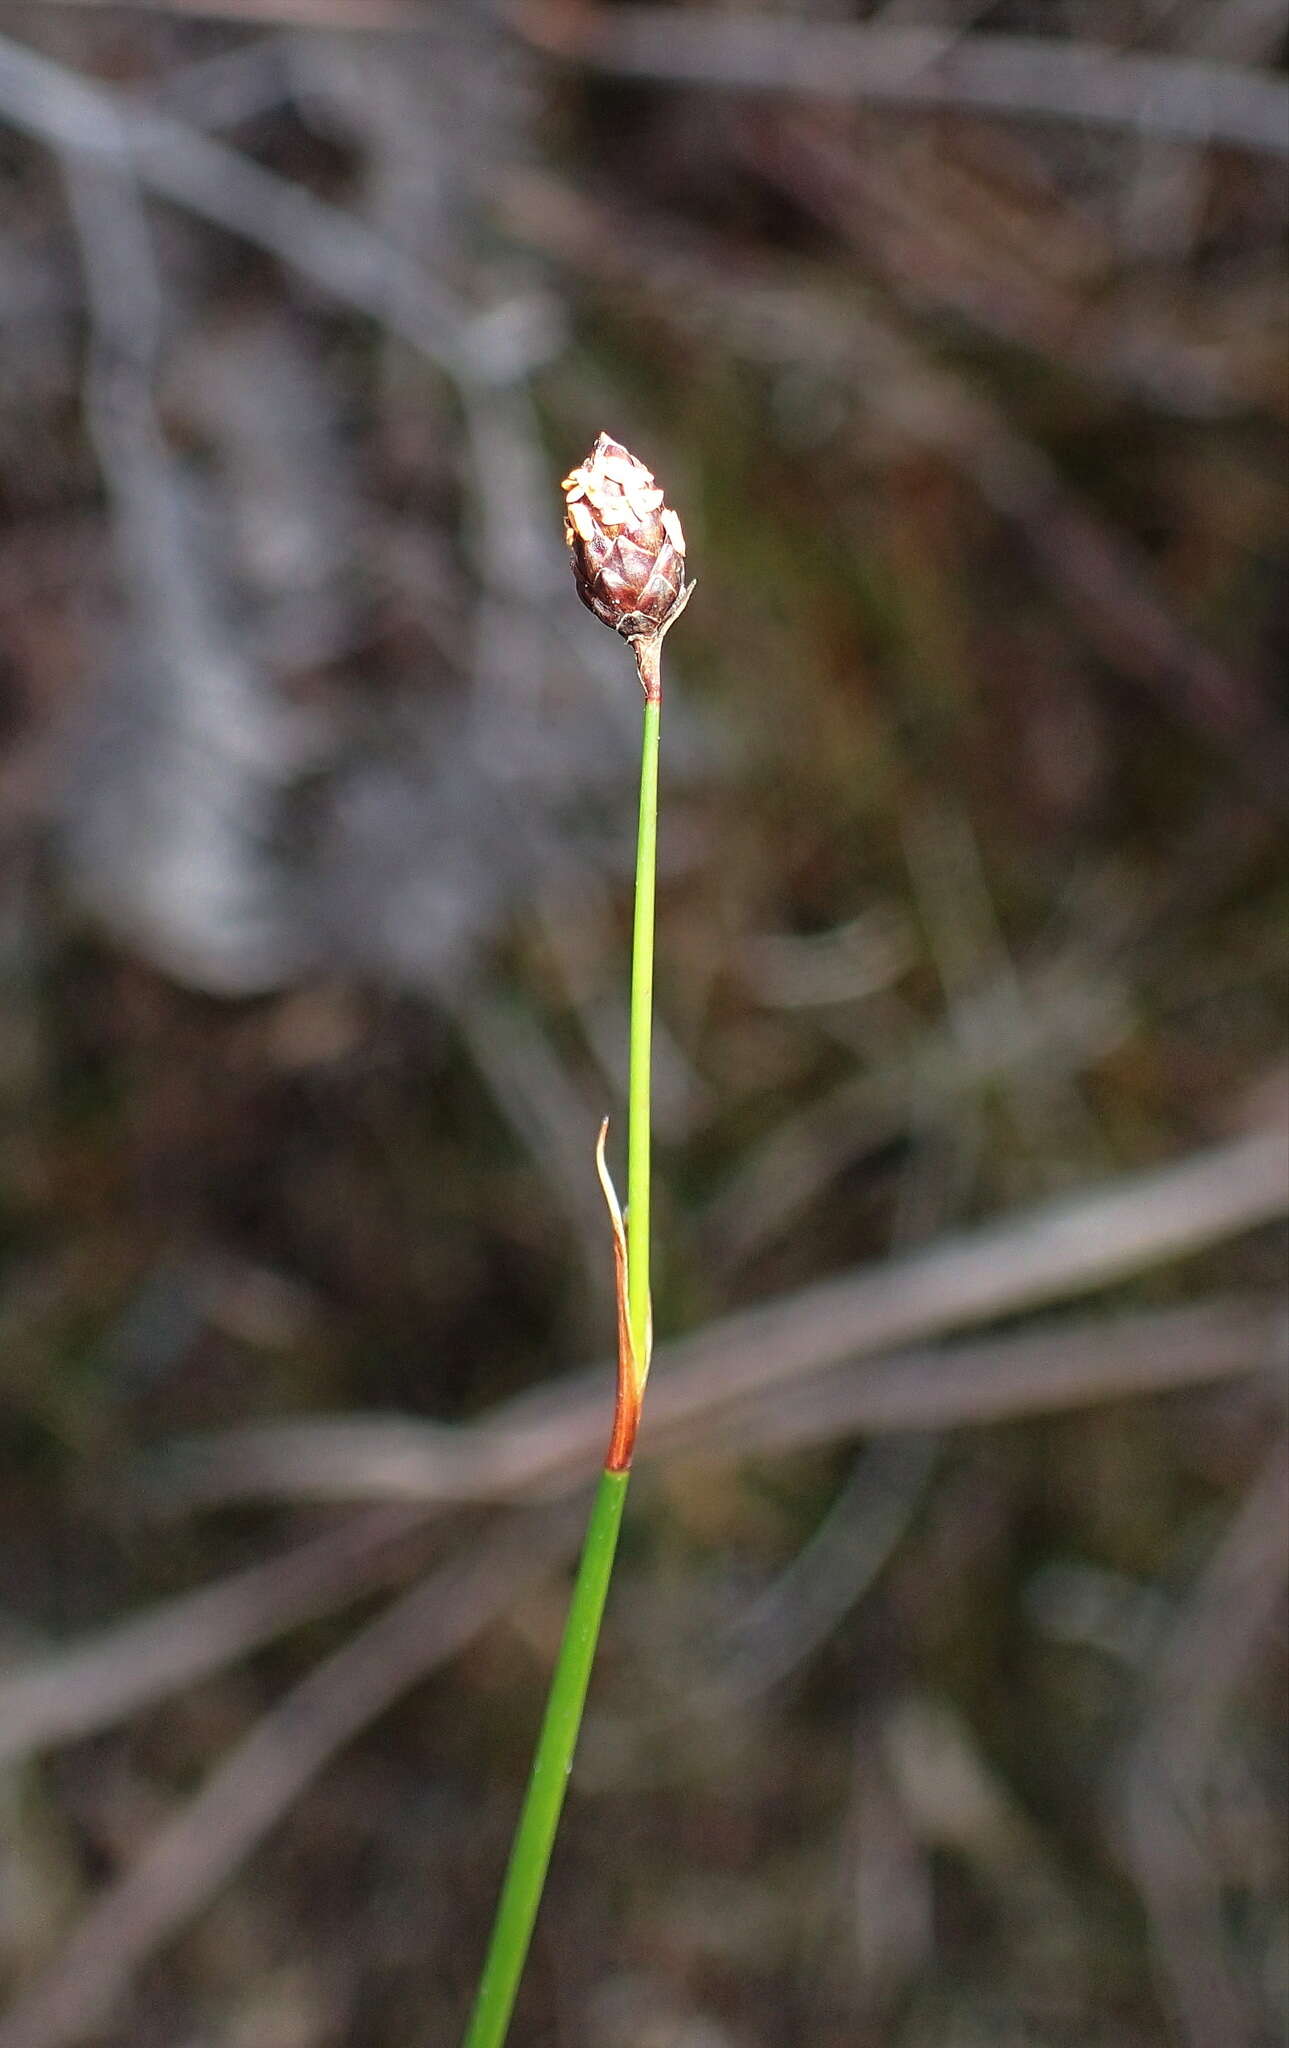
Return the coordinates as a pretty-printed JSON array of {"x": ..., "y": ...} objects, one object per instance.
[{"x": 628, "y": 548}]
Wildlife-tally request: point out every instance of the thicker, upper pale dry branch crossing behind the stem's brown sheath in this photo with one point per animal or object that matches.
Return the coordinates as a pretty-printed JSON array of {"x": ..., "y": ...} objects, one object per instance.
[{"x": 536, "y": 1443}]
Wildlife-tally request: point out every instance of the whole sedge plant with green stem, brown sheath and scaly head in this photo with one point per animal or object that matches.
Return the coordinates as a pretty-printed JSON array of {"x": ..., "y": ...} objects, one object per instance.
[{"x": 628, "y": 556}]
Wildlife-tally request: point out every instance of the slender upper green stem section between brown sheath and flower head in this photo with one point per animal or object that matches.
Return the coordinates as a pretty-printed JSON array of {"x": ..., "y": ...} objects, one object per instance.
[{"x": 642, "y": 1035}]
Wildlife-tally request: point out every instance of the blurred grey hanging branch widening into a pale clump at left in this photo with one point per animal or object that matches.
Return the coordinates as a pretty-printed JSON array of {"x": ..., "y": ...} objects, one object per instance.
[{"x": 169, "y": 835}]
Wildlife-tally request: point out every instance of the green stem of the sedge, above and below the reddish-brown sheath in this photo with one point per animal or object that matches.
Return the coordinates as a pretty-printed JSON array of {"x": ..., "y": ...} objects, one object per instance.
[{"x": 544, "y": 1801}]
